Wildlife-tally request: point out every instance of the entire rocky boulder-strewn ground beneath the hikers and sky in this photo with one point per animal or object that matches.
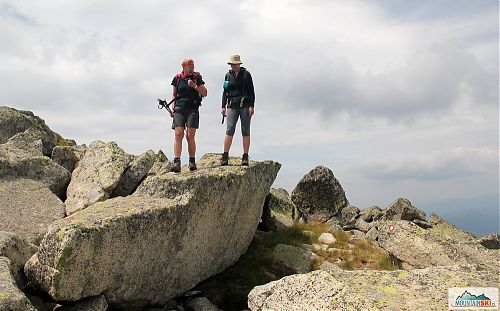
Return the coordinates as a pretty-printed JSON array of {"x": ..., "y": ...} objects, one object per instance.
[{"x": 94, "y": 228}]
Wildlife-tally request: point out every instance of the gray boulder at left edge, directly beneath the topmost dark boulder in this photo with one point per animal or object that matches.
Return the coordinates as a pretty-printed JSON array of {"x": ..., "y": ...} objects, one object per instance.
[{"x": 18, "y": 163}]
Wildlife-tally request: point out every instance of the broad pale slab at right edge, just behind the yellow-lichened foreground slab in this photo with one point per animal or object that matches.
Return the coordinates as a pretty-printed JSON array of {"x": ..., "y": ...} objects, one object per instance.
[{"x": 441, "y": 245}]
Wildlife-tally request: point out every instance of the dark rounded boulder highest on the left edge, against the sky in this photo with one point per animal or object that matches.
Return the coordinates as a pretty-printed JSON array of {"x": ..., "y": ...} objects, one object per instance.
[{"x": 14, "y": 121}]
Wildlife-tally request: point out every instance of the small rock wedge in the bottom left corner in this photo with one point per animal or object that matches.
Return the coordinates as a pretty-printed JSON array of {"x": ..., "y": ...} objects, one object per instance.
[{"x": 11, "y": 297}]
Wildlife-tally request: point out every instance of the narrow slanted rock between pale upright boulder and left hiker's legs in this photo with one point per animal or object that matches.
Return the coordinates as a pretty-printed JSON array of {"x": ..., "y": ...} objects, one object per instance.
[{"x": 135, "y": 173}]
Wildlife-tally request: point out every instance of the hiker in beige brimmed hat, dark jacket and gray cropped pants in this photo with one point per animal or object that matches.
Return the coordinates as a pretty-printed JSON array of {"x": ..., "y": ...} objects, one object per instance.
[{"x": 238, "y": 100}]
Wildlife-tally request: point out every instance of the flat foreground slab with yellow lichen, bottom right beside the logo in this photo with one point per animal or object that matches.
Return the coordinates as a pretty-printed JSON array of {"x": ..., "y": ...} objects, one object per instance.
[{"x": 336, "y": 289}]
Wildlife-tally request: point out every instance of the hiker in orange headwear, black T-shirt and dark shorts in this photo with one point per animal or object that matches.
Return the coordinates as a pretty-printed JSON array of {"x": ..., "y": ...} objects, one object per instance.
[{"x": 188, "y": 91}]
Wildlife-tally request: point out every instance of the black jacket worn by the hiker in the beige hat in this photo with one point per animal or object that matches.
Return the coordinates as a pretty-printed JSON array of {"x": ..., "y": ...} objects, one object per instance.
[{"x": 238, "y": 87}]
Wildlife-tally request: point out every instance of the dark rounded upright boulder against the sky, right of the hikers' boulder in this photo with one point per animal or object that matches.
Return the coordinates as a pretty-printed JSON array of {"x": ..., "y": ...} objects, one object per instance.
[{"x": 319, "y": 196}]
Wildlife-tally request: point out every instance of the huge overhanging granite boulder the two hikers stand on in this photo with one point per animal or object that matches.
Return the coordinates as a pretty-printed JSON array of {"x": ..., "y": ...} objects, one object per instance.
[{"x": 173, "y": 232}]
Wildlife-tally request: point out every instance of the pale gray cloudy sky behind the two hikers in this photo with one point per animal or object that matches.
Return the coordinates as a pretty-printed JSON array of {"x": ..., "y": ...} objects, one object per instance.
[{"x": 398, "y": 98}]
